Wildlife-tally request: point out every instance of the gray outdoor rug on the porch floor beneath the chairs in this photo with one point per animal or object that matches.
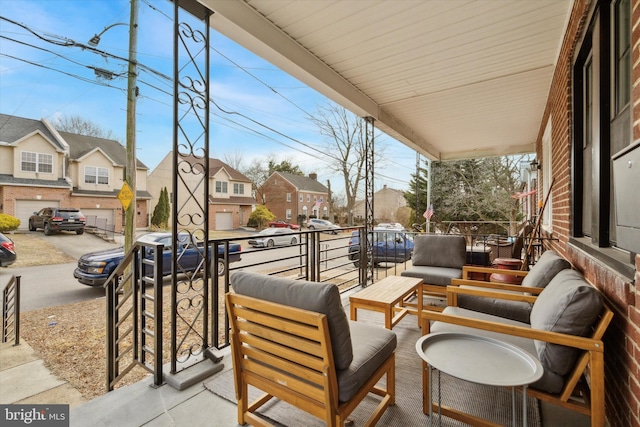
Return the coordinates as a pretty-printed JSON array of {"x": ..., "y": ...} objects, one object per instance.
[{"x": 491, "y": 403}]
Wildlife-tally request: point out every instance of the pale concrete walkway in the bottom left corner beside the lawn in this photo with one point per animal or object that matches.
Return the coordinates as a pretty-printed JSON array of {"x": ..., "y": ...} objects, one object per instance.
[{"x": 25, "y": 380}]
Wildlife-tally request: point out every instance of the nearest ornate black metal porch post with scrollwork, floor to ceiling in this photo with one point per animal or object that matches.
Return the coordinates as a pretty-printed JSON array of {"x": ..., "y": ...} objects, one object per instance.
[{"x": 190, "y": 207}]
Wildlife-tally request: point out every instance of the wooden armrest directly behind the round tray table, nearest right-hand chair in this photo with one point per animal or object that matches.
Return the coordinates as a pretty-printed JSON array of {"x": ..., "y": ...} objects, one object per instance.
[{"x": 582, "y": 343}]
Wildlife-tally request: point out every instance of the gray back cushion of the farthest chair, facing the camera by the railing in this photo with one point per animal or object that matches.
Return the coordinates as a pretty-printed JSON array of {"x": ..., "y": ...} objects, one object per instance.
[{"x": 439, "y": 250}]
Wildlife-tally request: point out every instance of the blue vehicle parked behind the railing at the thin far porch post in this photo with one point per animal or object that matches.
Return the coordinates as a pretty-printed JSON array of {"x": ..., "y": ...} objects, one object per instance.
[{"x": 388, "y": 246}]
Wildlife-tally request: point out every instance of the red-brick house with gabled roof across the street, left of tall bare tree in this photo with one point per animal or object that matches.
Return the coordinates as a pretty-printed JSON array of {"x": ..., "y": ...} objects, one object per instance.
[{"x": 292, "y": 197}]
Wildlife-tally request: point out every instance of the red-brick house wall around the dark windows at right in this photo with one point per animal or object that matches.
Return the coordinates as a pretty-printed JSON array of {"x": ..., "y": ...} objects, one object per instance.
[{"x": 622, "y": 348}]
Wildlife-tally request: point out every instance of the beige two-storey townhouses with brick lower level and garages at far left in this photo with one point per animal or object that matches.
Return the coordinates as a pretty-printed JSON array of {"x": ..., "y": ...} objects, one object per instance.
[{"x": 42, "y": 167}]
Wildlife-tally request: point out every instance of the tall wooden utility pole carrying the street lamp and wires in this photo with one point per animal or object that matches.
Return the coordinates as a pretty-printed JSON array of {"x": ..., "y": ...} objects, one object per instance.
[{"x": 132, "y": 93}]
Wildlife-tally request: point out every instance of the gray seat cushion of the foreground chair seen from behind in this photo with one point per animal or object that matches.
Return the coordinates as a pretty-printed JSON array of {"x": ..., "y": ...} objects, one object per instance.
[{"x": 372, "y": 345}]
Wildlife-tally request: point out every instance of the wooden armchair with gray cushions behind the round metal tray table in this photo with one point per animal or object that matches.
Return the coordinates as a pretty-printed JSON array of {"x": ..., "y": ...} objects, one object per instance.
[{"x": 568, "y": 321}]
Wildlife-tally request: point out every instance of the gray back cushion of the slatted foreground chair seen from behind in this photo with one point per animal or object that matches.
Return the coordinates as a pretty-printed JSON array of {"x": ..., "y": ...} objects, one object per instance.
[{"x": 313, "y": 296}]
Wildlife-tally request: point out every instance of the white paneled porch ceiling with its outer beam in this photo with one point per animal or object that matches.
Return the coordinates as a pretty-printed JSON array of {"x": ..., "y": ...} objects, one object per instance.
[{"x": 451, "y": 79}]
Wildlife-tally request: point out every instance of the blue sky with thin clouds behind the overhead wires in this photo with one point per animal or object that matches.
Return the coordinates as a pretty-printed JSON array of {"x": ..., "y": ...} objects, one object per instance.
[{"x": 41, "y": 77}]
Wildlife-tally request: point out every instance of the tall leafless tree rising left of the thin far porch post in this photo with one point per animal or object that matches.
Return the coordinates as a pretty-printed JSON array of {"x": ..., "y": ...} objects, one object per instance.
[{"x": 346, "y": 146}]
